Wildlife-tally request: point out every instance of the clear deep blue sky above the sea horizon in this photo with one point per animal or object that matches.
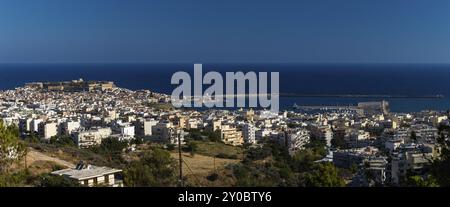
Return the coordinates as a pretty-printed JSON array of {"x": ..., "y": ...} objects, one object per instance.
[{"x": 225, "y": 31}]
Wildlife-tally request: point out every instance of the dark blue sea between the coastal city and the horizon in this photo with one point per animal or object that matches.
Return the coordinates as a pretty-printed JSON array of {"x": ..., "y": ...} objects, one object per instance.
[{"x": 314, "y": 79}]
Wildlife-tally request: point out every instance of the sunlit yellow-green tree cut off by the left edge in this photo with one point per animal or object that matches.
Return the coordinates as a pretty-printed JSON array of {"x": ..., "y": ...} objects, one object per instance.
[{"x": 11, "y": 148}]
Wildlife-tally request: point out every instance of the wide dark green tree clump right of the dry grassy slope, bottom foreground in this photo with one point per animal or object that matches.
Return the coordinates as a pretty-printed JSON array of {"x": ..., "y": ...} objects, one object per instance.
[{"x": 271, "y": 165}]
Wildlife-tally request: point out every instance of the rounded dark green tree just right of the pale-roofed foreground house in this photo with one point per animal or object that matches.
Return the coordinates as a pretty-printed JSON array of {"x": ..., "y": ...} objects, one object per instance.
[{"x": 155, "y": 168}]
